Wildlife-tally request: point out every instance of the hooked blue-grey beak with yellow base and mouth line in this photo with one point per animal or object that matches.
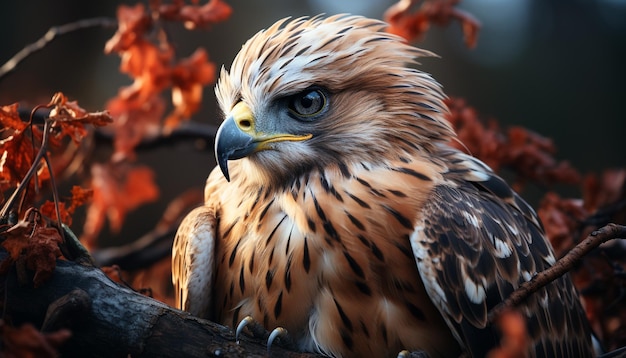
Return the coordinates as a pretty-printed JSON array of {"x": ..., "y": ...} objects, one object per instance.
[{"x": 237, "y": 137}]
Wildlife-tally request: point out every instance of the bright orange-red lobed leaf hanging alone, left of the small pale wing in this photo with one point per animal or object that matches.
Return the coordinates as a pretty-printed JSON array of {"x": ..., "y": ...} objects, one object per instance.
[{"x": 118, "y": 189}]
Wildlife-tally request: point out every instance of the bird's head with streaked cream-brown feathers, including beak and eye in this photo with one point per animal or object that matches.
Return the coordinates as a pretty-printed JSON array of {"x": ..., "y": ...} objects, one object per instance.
[{"x": 313, "y": 92}]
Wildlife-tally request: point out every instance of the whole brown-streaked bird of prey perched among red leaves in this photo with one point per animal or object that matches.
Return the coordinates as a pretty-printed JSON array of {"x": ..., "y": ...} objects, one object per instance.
[{"x": 339, "y": 212}]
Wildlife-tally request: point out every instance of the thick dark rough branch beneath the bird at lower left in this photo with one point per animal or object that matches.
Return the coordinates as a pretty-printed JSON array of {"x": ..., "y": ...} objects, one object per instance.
[{"x": 108, "y": 320}]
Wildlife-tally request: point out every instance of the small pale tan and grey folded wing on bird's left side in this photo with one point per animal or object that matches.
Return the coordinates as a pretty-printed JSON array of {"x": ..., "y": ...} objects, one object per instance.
[{"x": 193, "y": 261}]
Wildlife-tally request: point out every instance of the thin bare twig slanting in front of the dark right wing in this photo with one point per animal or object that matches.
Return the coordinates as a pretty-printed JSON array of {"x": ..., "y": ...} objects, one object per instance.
[{"x": 595, "y": 239}]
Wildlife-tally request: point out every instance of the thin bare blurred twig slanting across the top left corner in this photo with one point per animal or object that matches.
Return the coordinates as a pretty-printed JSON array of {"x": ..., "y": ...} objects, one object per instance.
[{"x": 50, "y": 35}]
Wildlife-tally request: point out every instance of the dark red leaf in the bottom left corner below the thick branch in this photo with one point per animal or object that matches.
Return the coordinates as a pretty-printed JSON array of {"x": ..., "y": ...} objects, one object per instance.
[{"x": 27, "y": 341}]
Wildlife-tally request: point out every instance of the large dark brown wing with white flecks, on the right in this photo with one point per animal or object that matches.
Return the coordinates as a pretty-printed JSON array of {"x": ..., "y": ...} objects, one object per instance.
[{"x": 475, "y": 243}]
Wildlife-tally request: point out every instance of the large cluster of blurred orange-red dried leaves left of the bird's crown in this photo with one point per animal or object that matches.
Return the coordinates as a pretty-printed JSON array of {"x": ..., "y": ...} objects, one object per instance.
[{"x": 151, "y": 62}]
